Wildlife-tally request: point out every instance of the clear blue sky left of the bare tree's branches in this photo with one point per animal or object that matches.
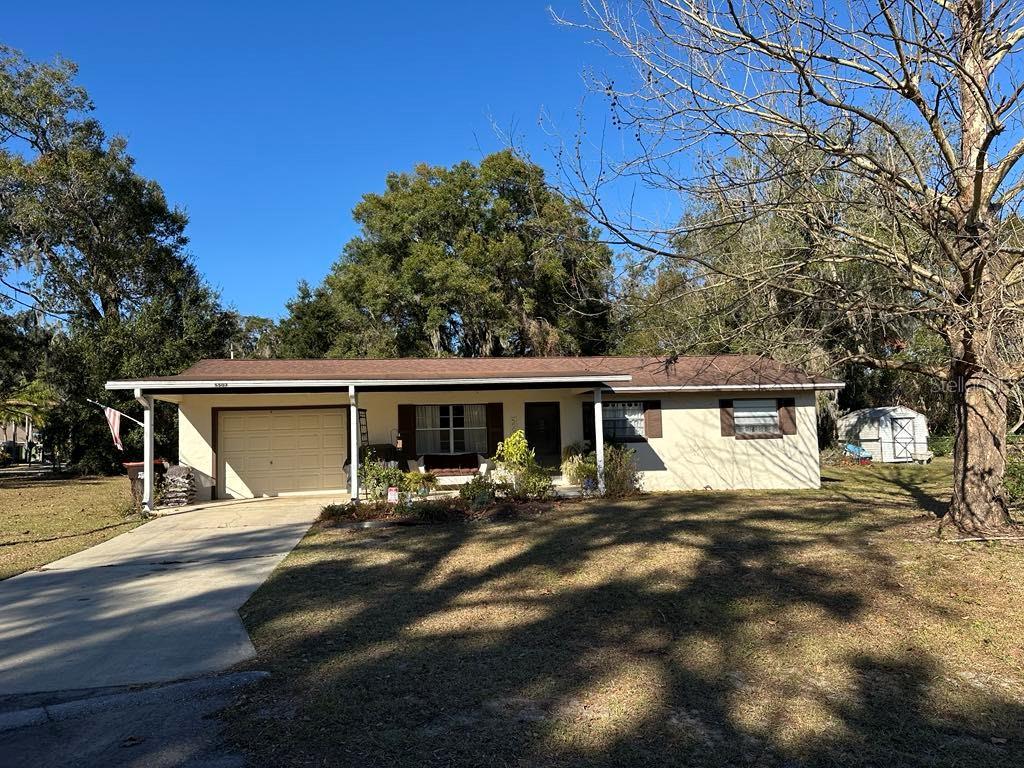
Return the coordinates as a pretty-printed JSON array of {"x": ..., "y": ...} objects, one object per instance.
[{"x": 267, "y": 122}]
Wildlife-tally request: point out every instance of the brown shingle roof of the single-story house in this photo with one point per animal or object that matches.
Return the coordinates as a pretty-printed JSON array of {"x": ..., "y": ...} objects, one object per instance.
[{"x": 718, "y": 371}]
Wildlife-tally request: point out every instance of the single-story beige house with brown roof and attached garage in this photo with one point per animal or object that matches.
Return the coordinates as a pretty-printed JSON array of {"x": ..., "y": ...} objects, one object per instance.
[{"x": 267, "y": 428}]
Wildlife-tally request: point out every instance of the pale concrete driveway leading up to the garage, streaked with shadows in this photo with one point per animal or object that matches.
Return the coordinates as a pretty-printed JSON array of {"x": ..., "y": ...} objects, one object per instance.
[{"x": 155, "y": 605}]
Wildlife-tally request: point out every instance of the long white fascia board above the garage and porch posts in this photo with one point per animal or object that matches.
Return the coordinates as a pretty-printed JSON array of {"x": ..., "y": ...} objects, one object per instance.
[{"x": 345, "y": 383}]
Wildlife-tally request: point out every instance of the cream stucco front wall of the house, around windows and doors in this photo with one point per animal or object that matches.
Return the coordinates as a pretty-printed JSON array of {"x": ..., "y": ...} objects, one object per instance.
[{"x": 692, "y": 454}]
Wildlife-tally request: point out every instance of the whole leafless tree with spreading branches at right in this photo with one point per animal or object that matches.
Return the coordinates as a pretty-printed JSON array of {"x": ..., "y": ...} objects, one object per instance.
[{"x": 887, "y": 133}]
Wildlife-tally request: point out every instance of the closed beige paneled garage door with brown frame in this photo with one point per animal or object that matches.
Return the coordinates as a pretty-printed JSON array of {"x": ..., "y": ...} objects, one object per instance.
[{"x": 269, "y": 453}]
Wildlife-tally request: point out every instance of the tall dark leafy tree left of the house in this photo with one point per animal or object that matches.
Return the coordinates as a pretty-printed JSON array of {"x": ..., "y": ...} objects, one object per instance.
[{"x": 96, "y": 249}]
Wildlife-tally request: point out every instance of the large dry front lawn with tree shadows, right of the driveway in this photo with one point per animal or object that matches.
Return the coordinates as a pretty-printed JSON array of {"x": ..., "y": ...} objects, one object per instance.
[{"x": 766, "y": 629}]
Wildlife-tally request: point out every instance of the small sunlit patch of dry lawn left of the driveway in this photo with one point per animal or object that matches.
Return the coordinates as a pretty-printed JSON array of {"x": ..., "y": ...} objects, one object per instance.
[{"x": 42, "y": 521}]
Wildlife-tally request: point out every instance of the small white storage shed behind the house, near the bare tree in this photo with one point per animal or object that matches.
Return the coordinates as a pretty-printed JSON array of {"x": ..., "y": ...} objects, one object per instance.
[{"x": 889, "y": 434}]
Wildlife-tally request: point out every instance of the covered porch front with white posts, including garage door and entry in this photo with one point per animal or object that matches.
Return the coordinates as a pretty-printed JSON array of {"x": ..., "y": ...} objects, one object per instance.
[{"x": 244, "y": 445}]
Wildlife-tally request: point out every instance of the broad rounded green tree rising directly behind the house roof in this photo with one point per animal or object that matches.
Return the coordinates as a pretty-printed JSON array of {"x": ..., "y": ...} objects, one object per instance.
[{"x": 468, "y": 261}]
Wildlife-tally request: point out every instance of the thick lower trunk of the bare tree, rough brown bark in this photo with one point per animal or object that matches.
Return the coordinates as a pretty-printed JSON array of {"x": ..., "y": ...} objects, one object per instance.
[{"x": 979, "y": 502}]
